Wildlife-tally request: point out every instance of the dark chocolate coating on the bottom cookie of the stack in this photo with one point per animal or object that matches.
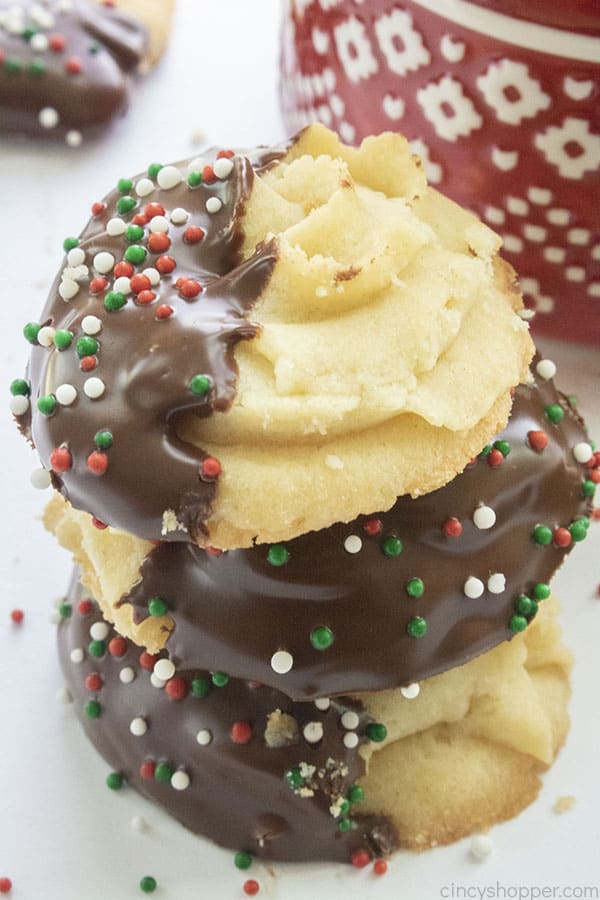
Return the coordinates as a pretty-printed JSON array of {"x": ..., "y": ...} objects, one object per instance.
[{"x": 237, "y": 794}]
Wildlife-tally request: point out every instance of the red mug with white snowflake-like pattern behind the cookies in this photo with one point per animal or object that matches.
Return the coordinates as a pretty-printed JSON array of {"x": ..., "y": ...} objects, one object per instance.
[{"x": 500, "y": 98}]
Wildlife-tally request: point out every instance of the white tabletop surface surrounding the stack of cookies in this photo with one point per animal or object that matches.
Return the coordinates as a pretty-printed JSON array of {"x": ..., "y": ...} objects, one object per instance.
[{"x": 63, "y": 835}]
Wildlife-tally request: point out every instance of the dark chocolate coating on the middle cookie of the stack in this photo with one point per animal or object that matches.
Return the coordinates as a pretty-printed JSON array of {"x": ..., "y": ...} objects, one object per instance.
[{"x": 234, "y": 611}]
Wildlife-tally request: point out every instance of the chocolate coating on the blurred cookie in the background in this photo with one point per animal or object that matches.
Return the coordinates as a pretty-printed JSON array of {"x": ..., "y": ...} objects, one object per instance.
[{"x": 103, "y": 45}]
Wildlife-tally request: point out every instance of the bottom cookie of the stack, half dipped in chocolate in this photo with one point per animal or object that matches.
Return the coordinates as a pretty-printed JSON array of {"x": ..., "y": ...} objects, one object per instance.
[{"x": 249, "y": 768}]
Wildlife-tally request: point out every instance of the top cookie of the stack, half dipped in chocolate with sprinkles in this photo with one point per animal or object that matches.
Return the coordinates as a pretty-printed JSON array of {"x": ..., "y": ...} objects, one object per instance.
[{"x": 242, "y": 349}]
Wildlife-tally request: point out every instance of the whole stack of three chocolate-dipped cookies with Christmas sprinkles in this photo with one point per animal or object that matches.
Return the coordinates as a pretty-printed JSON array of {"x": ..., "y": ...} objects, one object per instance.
[{"x": 317, "y": 483}]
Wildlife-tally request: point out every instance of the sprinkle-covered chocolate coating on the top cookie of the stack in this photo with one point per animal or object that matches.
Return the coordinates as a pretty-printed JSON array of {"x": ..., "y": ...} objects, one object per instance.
[{"x": 147, "y": 363}]
